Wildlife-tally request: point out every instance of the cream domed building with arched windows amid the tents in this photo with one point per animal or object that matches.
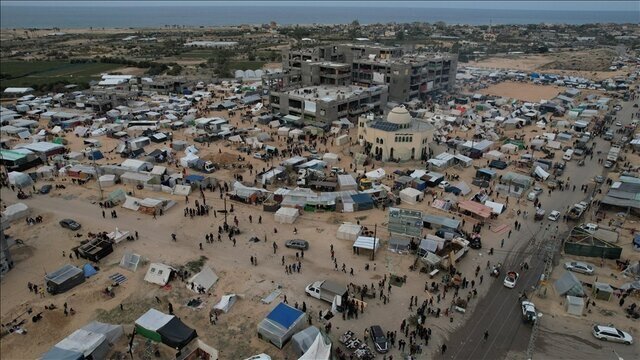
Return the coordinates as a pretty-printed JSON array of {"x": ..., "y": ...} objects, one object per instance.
[{"x": 398, "y": 137}]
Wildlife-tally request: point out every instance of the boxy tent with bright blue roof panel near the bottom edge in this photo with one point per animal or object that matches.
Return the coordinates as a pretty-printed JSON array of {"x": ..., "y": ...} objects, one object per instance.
[{"x": 280, "y": 324}]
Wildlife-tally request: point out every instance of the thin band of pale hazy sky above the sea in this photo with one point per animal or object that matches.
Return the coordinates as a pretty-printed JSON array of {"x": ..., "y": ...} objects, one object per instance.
[{"x": 592, "y": 5}]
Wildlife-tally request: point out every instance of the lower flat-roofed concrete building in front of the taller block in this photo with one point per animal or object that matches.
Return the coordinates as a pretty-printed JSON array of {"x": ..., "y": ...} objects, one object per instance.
[{"x": 327, "y": 103}]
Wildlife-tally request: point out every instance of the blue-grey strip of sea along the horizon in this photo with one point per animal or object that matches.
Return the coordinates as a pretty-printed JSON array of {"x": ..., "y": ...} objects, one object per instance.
[{"x": 48, "y": 15}]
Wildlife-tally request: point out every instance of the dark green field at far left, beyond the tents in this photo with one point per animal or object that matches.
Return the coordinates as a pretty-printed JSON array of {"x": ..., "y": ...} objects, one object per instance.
[{"x": 37, "y": 73}]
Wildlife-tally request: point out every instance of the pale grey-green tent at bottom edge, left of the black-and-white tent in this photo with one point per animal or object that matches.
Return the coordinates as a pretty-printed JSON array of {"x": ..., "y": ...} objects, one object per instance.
[{"x": 93, "y": 341}]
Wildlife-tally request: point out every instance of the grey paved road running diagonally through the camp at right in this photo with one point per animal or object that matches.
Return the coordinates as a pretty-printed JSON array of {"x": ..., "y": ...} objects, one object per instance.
[{"x": 499, "y": 311}]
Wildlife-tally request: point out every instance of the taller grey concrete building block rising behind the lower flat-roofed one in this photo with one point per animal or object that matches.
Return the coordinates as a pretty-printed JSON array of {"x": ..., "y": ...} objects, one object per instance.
[{"x": 408, "y": 76}]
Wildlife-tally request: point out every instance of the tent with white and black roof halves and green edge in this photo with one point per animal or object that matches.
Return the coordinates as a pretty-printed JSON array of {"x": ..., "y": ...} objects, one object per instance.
[{"x": 167, "y": 329}]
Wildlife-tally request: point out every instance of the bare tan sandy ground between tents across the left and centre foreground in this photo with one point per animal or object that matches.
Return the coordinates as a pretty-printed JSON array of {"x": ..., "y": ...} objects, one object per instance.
[{"x": 235, "y": 333}]
